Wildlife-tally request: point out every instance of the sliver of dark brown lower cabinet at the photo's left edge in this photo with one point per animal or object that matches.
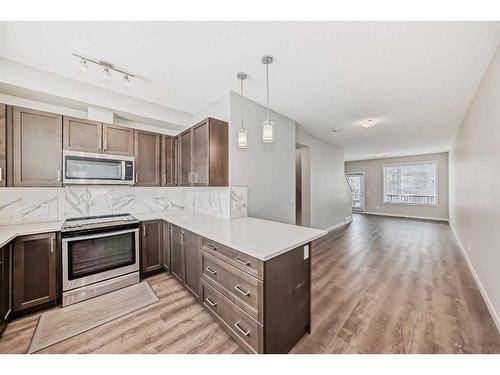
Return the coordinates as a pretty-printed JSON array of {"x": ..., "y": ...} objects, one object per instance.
[{"x": 5, "y": 285}]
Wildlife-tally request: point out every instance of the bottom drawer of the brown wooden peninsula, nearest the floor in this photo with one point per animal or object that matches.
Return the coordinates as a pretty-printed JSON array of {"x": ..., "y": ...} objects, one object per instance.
[{"x": 241, "y": 326}]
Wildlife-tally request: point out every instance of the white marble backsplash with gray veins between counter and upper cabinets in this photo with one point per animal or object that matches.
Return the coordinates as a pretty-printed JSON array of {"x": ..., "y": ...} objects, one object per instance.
[{"x": 32, "y": 205}]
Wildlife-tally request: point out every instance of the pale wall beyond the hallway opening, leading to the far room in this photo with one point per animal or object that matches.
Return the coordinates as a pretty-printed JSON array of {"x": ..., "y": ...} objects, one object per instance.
[{"x": 329, "y": 198}]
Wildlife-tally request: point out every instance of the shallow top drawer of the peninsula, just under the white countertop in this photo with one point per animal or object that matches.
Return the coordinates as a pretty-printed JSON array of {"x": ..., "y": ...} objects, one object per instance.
[{"x": 242, "y": 261}]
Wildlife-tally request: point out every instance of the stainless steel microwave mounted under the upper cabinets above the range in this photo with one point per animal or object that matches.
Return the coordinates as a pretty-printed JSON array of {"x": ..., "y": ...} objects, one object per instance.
[{"x": 87, "y": 168}]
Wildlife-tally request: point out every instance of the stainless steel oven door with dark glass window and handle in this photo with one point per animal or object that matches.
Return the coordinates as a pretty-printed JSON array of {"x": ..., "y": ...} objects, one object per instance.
[{"x": 88, "y": 259}]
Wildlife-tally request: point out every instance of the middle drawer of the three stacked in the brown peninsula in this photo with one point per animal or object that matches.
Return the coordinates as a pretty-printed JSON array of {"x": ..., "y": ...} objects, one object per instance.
[{"x": 244, "y": 290}]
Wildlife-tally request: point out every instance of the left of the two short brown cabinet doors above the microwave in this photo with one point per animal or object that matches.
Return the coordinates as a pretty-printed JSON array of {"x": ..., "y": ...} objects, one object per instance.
[{"x": 81, "y": 135}]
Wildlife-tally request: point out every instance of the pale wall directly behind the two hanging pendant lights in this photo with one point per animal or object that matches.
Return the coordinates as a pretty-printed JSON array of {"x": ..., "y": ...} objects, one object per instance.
[{"x": 268, "y": 169}]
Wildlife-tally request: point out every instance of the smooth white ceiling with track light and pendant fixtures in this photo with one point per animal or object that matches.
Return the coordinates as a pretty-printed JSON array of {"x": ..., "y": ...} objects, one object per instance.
[{"x": 416, "y": 78}]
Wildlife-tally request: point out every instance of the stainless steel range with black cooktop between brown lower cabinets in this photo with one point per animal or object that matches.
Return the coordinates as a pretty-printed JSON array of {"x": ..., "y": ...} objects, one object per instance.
[{"x": 99, "y": 254}]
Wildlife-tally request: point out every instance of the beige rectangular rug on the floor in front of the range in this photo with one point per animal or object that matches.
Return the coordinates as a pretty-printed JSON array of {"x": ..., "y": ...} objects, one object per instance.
[{"x": 61, "y": 324}]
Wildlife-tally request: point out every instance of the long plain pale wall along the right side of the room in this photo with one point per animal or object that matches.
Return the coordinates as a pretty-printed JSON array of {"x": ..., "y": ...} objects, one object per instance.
[{"x": 475, "y": 186}]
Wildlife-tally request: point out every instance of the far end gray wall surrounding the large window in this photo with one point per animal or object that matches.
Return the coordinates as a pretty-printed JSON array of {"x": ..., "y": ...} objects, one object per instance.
[{"x": 374, "y": 187}]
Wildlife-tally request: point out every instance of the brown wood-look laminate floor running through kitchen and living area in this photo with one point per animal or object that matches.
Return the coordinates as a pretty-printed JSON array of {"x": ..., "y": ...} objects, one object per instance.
[{"x": 381, "y": 285}]
